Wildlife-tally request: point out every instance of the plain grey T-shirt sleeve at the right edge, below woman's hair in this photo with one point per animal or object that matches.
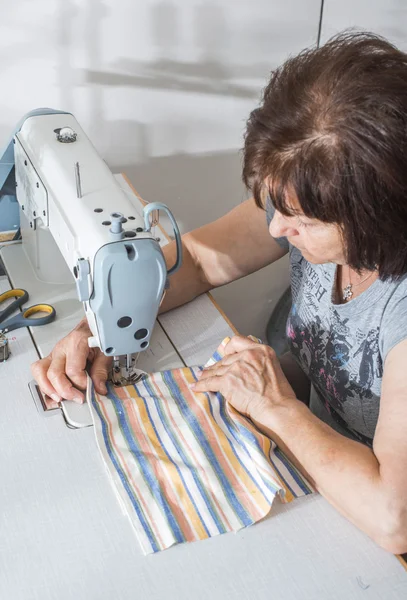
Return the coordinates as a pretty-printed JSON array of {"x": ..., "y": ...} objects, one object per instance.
[{"x": 394, "y": 322}]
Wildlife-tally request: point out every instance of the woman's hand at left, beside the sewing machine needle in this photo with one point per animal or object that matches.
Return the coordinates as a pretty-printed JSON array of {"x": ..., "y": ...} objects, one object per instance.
[{"x": 62, "y": 374}]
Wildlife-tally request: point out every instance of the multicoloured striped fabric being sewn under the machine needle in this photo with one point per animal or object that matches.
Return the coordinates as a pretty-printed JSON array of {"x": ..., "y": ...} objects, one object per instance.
[{"x": 186, "y": 466}]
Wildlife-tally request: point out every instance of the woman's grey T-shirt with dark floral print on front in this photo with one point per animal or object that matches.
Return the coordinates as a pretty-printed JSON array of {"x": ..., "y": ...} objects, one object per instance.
[{"x": 342, "y": 347}]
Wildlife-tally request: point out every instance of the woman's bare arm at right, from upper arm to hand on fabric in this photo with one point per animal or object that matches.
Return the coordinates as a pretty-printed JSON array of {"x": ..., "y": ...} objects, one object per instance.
[{"x": 368, "y": 486}]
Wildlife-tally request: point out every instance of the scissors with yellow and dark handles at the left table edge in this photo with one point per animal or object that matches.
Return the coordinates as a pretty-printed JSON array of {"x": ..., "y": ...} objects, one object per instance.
[{"x": 25, "y": 318}]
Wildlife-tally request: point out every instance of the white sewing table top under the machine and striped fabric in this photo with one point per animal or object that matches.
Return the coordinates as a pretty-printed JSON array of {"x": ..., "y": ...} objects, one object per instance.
[{"x": 62, "y": 533}]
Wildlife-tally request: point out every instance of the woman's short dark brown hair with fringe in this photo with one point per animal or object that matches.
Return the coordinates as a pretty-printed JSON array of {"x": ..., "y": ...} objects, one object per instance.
[{"x": 332, "y": 127}]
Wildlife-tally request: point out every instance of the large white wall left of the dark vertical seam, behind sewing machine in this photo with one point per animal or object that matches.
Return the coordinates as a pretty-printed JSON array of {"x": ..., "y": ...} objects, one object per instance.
[{"x": 163, "y": 89}]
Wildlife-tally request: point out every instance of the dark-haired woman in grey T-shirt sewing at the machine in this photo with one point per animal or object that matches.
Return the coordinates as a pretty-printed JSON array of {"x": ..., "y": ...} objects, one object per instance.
[{"x": 325, "y": 154}]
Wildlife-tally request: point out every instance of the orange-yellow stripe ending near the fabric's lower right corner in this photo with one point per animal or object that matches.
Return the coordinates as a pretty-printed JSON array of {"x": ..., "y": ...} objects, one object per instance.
[{"x": 245, "y": 489}]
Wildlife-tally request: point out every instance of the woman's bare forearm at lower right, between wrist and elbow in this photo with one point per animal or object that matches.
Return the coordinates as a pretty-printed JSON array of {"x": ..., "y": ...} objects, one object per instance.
[{"x": 345, "y": 472}]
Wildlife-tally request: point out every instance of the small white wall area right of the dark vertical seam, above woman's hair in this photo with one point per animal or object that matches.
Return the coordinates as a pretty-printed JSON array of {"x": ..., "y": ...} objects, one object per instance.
[{"x": 387, "y": 17}]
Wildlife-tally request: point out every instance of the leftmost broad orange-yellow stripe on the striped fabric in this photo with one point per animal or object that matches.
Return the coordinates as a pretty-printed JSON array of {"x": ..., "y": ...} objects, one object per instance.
[{"x": 164, "y": 470}]
